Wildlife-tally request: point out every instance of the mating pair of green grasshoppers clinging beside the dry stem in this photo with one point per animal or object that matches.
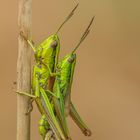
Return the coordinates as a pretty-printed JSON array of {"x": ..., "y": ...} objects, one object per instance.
[{"x": 51, "y": 86}]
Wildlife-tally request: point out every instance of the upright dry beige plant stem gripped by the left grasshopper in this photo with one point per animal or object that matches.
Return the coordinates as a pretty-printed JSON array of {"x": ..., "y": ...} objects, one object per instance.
[{"x": 23, "y": 70}]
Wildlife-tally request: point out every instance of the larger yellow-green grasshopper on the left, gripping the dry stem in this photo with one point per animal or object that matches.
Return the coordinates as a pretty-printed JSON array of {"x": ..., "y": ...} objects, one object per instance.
[{"x": 46, "y": 55}]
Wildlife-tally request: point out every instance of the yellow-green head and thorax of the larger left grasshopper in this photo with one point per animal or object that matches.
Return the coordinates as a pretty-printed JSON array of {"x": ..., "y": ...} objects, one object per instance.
[{"x": 46, "y": 56}]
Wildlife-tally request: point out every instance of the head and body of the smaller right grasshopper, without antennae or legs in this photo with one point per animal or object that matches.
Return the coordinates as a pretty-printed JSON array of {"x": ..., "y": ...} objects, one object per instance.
[{"x": 66, "y": 68}]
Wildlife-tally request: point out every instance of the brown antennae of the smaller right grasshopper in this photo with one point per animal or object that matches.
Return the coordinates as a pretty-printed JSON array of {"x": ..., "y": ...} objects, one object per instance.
[{"x": 84, "y": 35}]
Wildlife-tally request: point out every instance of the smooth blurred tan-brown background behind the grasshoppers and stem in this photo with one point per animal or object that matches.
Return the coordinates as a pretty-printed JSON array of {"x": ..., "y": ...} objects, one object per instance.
[{"x": 106, "y": 87}]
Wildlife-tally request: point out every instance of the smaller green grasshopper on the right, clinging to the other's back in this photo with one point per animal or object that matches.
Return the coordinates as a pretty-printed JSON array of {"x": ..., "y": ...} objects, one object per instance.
[{"x": 62, "y": 89}]
